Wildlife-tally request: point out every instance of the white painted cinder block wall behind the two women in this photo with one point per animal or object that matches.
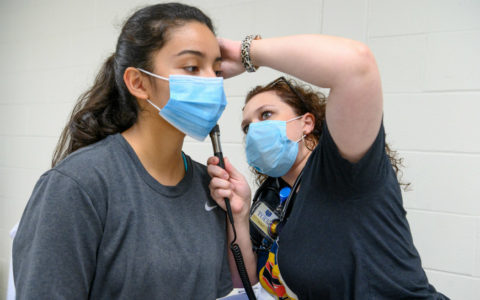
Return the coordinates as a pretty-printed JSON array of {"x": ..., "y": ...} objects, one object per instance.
[{"x": 427, "y": 51}]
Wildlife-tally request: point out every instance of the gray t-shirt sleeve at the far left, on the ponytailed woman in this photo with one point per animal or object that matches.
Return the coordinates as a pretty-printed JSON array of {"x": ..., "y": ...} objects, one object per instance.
[{"x": 54, "y": 251}]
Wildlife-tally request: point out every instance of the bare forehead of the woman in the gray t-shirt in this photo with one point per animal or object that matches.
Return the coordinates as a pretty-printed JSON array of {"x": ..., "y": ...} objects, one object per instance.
[{"x": 192, "y": 36}]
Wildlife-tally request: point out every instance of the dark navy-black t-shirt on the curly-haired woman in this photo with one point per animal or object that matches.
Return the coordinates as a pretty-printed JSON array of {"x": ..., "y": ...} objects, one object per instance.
[{"x": 347, "y": 236}]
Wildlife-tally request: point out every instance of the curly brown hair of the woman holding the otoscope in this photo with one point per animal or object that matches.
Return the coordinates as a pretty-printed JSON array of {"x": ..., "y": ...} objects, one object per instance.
[{"x": 304, "y": 99}]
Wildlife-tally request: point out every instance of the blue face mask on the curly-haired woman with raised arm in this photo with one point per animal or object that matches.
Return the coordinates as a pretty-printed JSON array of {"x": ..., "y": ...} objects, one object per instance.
[{"x": 268, "y": 148}]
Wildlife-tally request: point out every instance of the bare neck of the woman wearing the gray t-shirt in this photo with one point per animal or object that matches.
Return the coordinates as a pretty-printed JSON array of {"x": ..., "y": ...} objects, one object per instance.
[{"x": 158, "y": 145}]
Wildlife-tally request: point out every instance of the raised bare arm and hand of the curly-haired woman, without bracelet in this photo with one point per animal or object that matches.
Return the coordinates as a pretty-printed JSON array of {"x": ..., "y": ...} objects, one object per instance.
[{"x": 346, "y": 67}]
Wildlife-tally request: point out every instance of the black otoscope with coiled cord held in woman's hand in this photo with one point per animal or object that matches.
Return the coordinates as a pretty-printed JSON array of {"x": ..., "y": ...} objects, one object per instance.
[{"x": 237, "y": 254}]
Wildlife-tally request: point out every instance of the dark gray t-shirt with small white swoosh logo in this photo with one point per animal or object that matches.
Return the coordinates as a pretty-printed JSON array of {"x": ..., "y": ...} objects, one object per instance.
[{"x": 98, "y": 226}]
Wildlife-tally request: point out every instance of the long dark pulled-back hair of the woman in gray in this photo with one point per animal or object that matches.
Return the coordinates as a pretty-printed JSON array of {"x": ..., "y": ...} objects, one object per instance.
[{"x": 108, "y": 107}]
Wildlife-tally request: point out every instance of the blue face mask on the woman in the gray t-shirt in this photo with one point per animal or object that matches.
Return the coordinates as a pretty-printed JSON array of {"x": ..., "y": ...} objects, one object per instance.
[{"x": 195, "y": 104}]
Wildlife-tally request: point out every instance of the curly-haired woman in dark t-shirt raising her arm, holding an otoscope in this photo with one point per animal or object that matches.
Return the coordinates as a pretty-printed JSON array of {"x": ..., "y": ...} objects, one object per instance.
[{"x": 341, "y": 231}]
